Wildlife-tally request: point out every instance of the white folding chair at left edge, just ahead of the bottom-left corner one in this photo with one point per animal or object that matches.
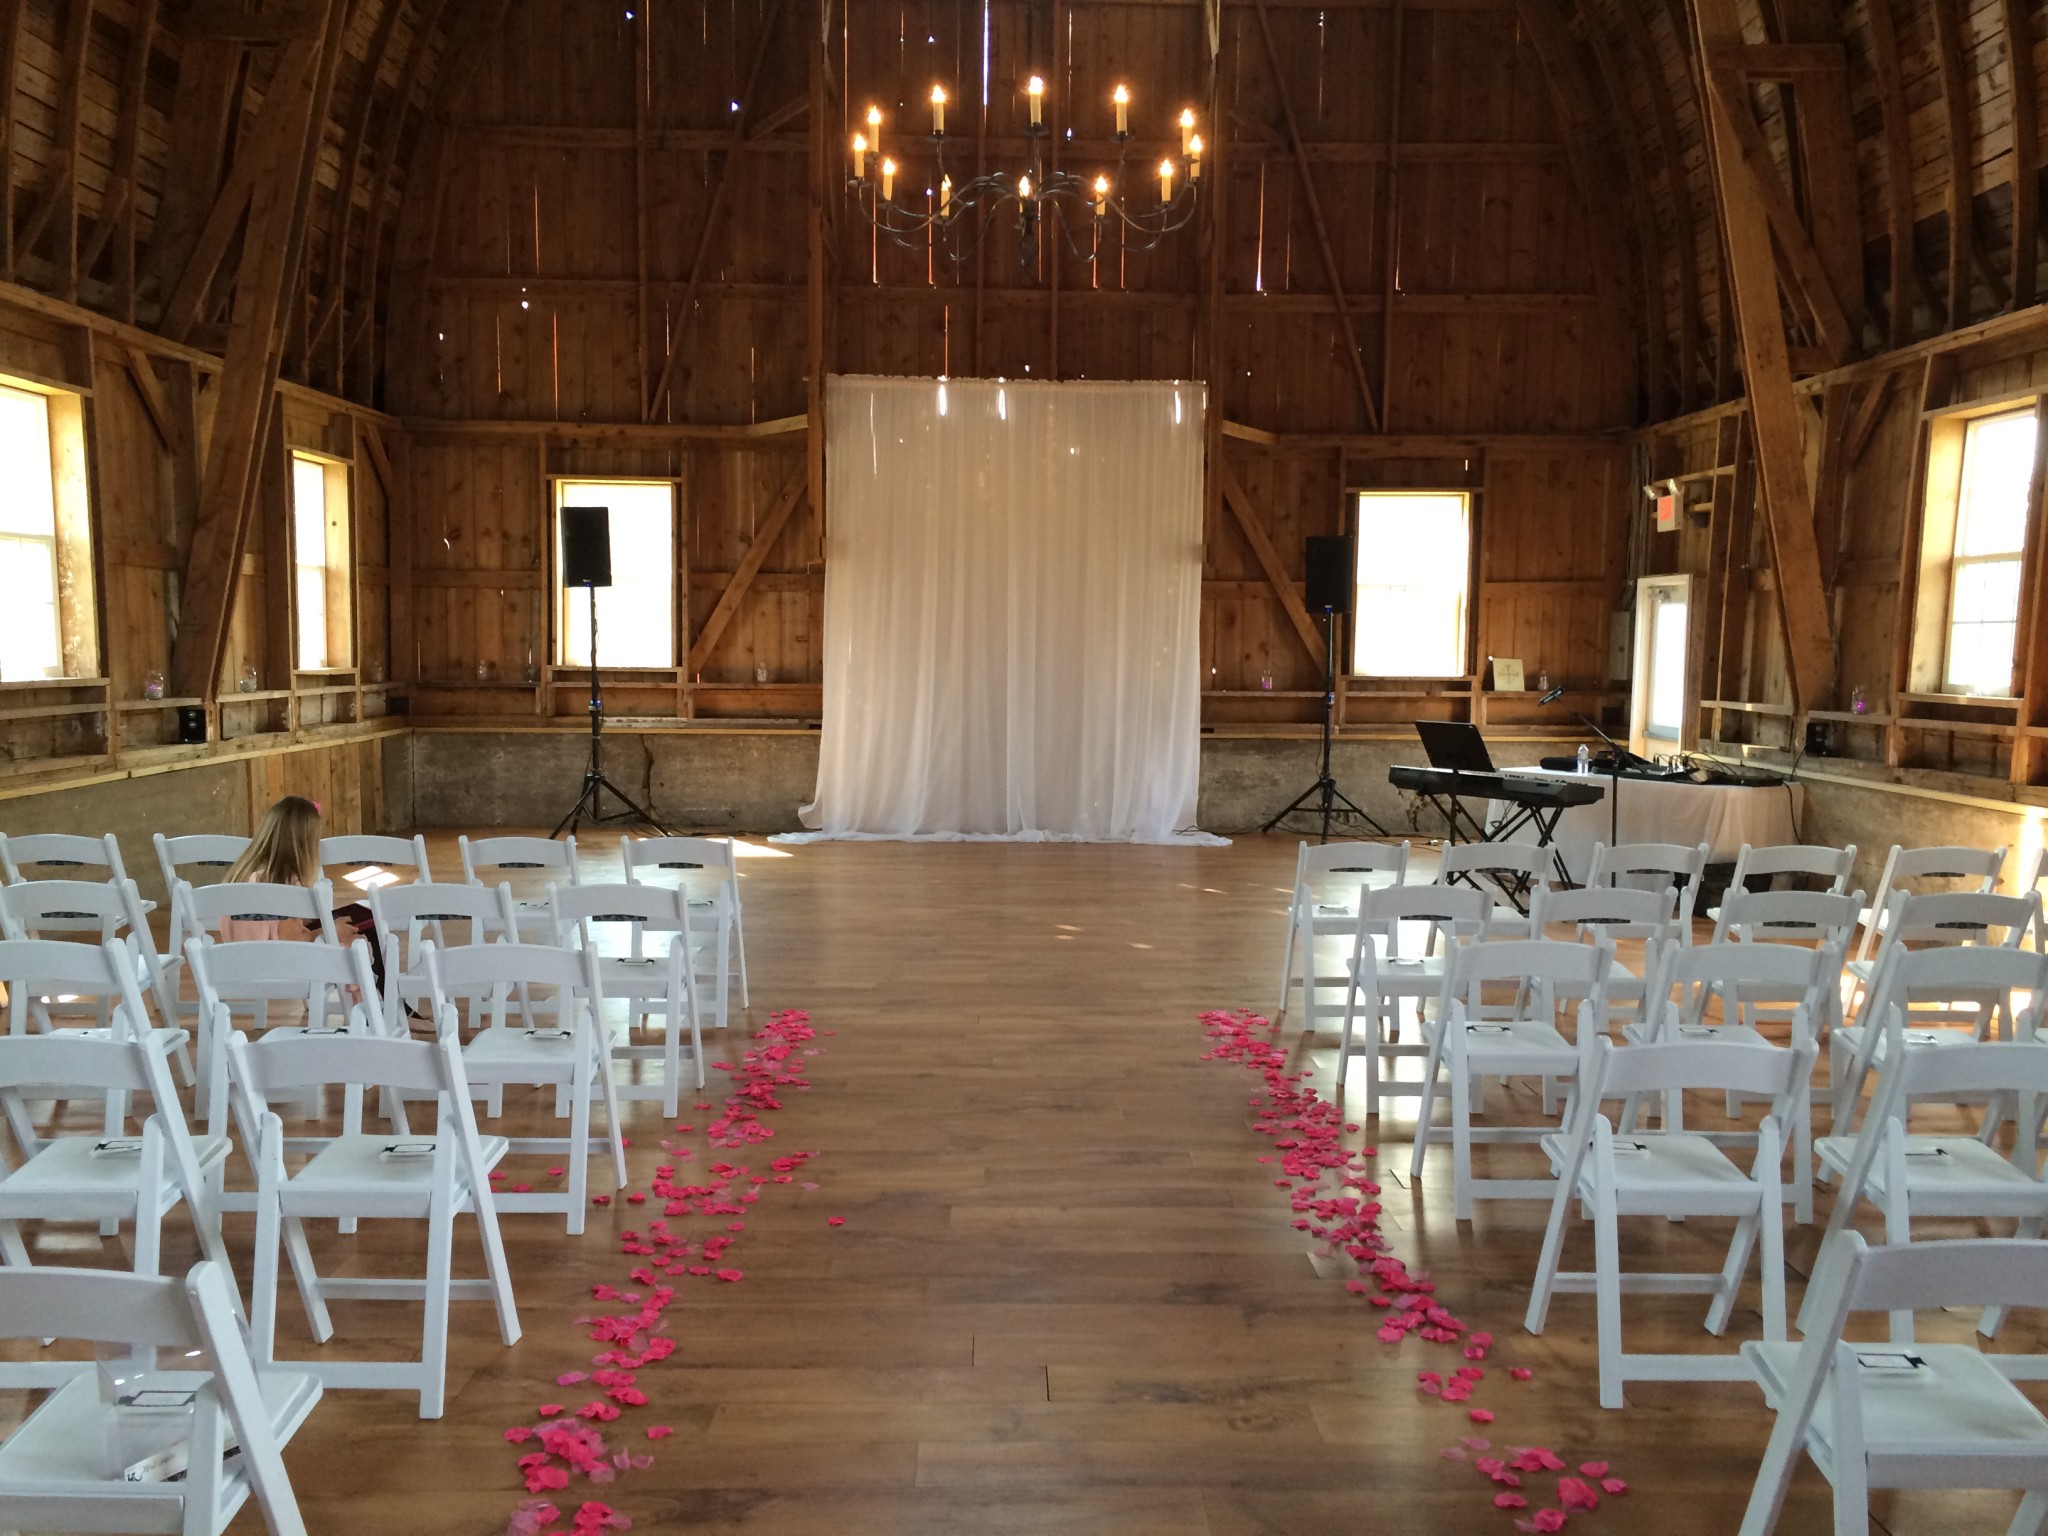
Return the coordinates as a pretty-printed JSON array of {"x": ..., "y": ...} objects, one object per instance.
[{"x": 105, "y": 1177}]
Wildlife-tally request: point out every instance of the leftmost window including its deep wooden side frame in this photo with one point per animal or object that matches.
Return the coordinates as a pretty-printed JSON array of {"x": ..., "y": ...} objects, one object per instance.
[{"x": 48, "y": 617}]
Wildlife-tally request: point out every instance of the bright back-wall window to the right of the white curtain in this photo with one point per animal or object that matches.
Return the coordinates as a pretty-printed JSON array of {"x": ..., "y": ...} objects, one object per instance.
[{"x": 1414, "y": 550}]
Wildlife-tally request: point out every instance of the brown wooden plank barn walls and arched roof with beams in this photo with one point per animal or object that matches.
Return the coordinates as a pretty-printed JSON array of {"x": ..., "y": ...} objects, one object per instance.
[{"x": 1547, "y": 251}]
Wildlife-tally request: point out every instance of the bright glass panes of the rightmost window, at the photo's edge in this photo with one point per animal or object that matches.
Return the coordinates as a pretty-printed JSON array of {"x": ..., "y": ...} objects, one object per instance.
[{"x": 1992, "y": 534}]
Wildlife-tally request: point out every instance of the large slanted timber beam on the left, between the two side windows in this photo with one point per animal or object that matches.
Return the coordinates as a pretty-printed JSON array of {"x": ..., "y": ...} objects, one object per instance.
[{"x": 251, "y": 364}]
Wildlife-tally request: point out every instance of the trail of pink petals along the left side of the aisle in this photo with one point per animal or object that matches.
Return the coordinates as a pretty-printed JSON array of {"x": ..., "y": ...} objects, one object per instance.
[{"x": 568, "y": 1443}]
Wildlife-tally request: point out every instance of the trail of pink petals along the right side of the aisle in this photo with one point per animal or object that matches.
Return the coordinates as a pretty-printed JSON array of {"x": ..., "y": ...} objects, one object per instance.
[{"x": 1308, "y": 1134}]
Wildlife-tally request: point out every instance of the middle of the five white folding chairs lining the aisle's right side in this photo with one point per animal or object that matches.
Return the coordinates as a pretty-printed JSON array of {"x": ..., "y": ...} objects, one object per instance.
[{"x": 1467, "y": 1048}]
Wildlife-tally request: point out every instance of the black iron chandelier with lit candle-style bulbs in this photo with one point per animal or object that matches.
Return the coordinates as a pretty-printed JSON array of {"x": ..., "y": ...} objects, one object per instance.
[{"x": 1082, "y": 210}]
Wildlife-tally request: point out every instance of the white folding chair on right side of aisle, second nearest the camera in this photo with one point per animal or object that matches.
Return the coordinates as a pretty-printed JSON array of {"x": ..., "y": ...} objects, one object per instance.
[{"x": 1670, "y": 1175}]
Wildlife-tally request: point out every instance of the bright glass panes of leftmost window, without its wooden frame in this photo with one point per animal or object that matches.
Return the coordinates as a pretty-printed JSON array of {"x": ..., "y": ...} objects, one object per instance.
[{"x": 32, "y": 640}]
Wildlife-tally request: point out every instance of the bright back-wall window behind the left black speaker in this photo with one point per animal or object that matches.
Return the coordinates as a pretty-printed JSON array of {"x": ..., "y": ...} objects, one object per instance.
[{"x": 638, "y": 611}]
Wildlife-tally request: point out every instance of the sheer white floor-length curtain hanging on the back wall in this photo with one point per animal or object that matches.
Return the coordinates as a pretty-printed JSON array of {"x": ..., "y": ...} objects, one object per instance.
[{"x": 1013, "y": 605}]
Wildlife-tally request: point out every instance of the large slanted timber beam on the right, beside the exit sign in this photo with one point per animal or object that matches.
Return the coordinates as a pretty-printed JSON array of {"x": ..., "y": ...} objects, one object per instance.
[{"x": 1768, "y": 376}]
